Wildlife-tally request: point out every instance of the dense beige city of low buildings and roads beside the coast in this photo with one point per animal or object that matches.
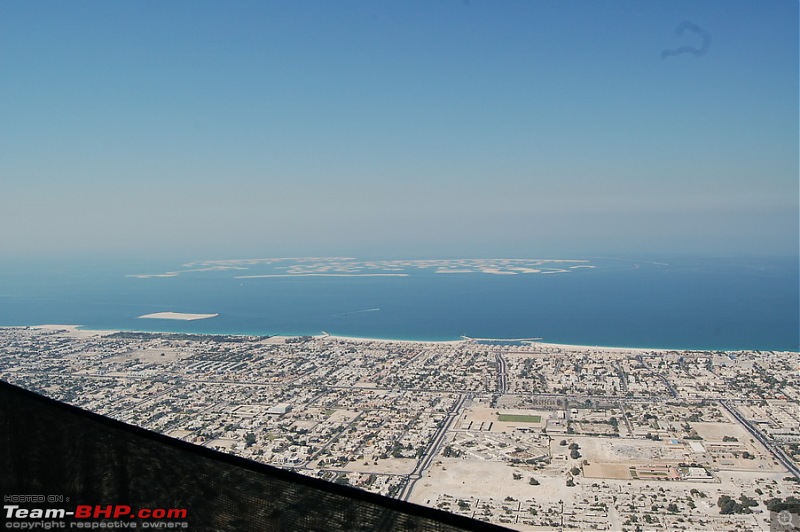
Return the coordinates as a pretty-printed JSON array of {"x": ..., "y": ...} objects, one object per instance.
[{"x": 528, "y": 435}]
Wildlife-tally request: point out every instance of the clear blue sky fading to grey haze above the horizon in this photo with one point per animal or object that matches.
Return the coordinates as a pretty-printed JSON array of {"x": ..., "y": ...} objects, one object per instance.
[{"x": 201, "y": 129}]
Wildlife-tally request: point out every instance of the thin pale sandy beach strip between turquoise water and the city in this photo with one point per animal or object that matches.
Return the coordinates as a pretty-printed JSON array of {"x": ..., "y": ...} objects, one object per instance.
[{"x": 77, "y": 330}]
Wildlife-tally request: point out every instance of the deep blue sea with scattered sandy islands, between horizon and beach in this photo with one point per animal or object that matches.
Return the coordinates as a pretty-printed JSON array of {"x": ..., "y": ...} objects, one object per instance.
[{"x": 665, "y": 302}]
